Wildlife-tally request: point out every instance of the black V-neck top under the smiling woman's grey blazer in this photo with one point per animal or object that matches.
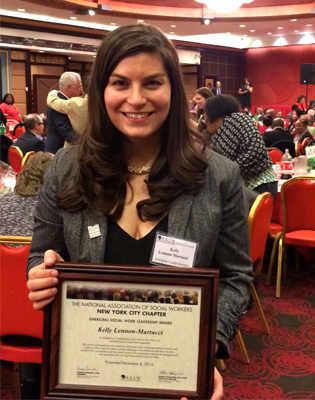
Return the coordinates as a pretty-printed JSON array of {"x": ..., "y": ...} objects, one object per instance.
[{"x": 121, "y": 248}]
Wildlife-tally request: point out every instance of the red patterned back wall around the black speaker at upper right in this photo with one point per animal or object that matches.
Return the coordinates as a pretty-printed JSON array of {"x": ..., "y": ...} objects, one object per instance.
[{"x": 275, "y": 73}]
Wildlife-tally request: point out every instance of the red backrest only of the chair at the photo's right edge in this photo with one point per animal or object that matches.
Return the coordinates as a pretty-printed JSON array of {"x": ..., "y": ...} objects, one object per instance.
[{"x": 297, "y": 196}]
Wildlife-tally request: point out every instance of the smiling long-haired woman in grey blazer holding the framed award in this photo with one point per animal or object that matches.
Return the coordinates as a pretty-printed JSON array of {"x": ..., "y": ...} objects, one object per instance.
[{"x": 138, "y": 169}]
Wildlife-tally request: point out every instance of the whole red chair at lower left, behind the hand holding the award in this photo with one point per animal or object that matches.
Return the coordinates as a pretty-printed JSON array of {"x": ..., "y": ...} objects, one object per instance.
[{"x": 19, "y": 322}]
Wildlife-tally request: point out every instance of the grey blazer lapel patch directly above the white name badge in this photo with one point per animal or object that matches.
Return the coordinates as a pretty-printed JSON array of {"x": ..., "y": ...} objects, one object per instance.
[{"x": 178, "y": 215}]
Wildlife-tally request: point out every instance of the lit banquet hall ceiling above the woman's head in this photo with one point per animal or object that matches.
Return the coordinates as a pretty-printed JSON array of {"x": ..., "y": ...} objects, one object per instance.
[{"x": 179, "y": 19}]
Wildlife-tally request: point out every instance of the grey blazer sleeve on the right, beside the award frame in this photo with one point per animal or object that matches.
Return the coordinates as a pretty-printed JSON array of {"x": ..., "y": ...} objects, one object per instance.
[{"x": 232, "y": 255}]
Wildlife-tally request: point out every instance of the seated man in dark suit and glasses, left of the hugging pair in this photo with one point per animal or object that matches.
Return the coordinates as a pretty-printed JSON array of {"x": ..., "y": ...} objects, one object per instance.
[{"x": 32, "y": 139}]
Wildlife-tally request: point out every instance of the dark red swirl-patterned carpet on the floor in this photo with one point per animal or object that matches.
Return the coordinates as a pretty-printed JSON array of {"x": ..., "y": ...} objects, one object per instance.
[{"x": 282, "y": 364}]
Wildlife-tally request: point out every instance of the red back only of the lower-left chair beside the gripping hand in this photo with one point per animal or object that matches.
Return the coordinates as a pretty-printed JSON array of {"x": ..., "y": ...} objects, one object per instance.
[{"x": 17, "y": 315}]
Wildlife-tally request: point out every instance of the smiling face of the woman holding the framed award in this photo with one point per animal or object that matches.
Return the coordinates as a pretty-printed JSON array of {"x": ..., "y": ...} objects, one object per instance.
[{"x": 138, "y": 96}]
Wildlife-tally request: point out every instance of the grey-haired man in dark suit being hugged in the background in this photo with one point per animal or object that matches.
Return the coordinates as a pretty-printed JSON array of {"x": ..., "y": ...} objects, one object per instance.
[{"x": 59, "y": 126}]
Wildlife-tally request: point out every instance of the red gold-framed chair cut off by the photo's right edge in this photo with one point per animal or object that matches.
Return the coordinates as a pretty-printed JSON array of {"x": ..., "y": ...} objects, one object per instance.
[{"x": 297, "y": 196}]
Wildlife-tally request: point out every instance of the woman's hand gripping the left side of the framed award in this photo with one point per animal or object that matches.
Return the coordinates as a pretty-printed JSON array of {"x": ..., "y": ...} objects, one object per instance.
[{"x": 41, "y": 281}]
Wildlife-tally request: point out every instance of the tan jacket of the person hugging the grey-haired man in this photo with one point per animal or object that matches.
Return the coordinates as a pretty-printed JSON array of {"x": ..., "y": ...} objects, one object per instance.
[{"x": 75, "y": 108}]
